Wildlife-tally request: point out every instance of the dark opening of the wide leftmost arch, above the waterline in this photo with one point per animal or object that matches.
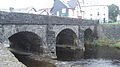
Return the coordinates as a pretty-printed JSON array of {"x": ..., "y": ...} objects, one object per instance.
[{"x": 26, "y": 41}]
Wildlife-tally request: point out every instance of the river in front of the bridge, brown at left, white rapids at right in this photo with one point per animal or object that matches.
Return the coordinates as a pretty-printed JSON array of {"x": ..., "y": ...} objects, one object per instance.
[{"x": 94, "y": 56}]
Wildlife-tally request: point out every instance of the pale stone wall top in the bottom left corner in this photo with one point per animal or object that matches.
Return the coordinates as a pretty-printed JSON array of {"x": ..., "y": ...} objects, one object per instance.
[{"x": 7, "y": 59}]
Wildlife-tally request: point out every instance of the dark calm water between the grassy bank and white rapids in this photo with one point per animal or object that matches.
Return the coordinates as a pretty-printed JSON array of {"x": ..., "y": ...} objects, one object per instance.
[{"x": 98, "y": 52}]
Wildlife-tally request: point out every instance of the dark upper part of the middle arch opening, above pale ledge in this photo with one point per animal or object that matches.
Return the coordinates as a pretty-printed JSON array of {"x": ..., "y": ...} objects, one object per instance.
[{"x": 66, "y": 36}]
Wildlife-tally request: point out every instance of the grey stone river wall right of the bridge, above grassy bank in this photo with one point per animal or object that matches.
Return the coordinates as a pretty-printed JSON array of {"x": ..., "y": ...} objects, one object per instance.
[{"x": 111, "y": 31}]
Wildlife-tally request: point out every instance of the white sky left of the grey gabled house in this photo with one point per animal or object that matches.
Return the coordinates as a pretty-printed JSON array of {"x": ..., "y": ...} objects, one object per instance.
[{"x": 26, "y": 3}]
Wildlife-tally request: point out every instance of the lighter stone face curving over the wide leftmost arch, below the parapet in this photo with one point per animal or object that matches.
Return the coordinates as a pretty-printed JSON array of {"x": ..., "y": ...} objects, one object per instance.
[{"x": 9, "y": 30}]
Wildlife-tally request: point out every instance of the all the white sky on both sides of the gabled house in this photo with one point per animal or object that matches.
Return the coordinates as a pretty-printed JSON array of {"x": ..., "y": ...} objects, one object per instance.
[{"x": 38, "y": 4}]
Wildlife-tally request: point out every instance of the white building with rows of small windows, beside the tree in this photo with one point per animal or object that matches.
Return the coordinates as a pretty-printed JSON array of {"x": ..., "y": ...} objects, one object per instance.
[{"x": 96, "y": 12}]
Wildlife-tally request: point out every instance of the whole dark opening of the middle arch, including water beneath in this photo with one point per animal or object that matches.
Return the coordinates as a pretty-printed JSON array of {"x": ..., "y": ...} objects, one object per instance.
[{"x": 66, "y": 46}]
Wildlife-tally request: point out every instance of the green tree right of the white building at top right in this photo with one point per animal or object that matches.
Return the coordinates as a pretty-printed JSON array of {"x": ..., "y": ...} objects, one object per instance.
[{"x": 113, "y": 12}]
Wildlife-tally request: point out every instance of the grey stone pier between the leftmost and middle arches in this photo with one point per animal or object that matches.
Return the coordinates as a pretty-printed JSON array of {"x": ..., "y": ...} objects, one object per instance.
[{"x": 51, "y": 42}]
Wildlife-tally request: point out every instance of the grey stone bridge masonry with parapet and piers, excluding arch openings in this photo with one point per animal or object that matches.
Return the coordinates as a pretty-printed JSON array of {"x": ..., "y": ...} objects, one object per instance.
[{"x": 46, "y": 27}]
